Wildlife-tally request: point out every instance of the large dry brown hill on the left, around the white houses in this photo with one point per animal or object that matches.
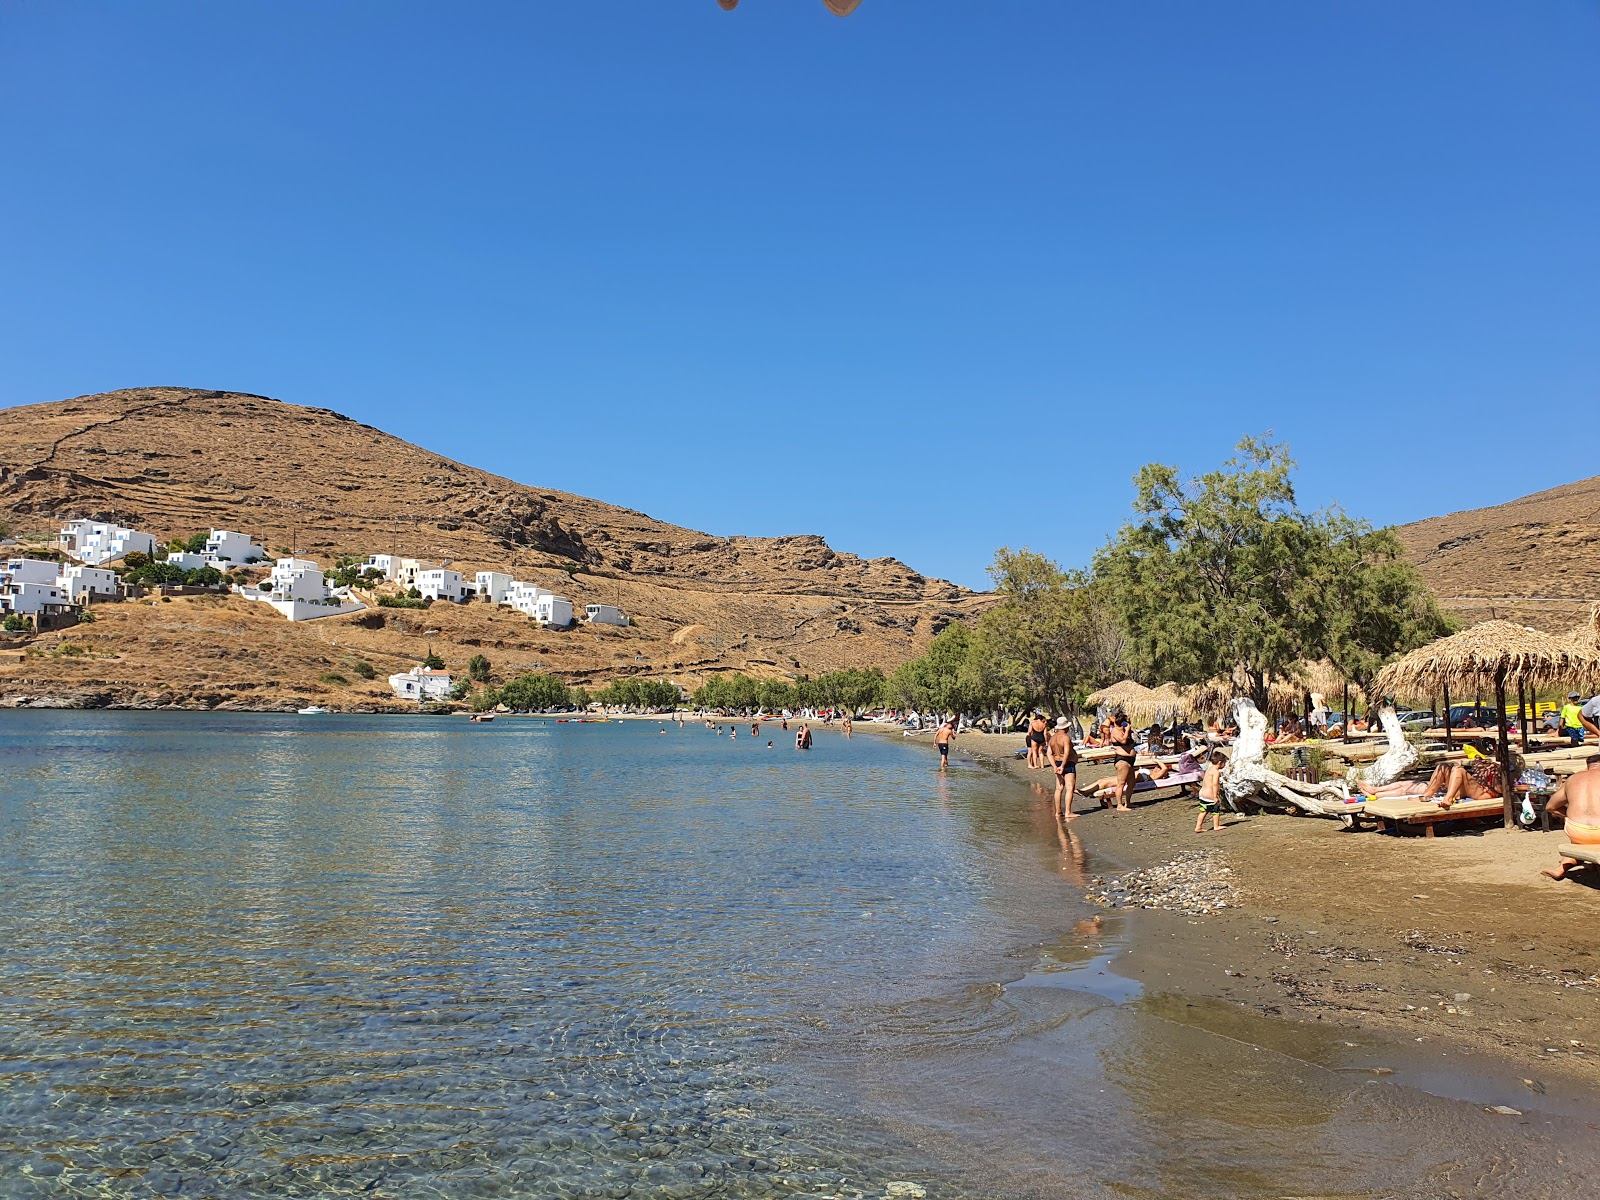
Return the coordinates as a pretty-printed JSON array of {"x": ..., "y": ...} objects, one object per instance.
[{"x": 174, "y": 462}]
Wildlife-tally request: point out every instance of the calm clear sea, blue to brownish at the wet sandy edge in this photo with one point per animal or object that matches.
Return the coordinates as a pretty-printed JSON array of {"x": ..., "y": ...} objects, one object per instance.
[{"x": 410, "y": 958}]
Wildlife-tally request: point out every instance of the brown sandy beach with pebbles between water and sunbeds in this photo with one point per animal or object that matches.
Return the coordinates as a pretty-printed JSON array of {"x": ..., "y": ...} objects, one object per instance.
[{"x": 1449, "y": 959}]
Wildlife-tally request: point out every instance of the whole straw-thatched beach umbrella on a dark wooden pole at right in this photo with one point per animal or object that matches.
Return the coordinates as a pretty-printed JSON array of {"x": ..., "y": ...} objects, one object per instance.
[{"x": 1495, "y": 654}]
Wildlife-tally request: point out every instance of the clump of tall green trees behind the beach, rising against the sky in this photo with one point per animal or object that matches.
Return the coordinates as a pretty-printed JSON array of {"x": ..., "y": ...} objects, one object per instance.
[{"x": 1214, "y": 575}]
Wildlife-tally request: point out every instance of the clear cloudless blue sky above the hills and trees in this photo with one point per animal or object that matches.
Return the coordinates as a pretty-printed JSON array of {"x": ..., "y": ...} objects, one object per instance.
[{"x": 927, "y": 281}]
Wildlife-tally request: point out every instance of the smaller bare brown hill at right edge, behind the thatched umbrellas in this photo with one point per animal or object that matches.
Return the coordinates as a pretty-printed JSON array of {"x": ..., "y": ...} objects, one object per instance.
[{"x": 1534, "y": 559}]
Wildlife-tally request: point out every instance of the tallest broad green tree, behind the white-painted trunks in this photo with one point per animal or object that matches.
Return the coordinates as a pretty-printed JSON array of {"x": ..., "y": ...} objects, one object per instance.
[{"x": 1226, "y": 572}]
